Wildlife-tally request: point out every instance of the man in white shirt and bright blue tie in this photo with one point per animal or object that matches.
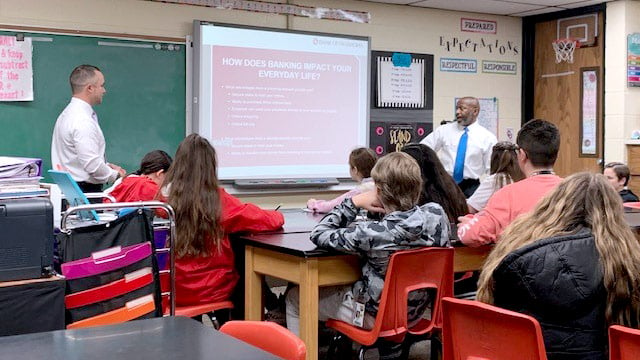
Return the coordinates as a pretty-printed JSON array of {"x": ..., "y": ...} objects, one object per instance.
[{"x": 465, "y": 160}]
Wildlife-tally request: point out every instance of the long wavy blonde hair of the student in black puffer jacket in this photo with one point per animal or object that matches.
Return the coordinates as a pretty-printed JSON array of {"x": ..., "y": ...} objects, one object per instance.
[{"x": 581, "y": 200}]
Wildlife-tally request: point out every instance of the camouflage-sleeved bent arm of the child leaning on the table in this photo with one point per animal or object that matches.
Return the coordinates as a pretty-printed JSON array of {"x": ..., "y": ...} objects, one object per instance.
[{"x": 334, "y": 231}]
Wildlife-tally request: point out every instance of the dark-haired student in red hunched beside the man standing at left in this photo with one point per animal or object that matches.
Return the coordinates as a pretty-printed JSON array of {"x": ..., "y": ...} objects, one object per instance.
[{"x": 143, "y": 185}]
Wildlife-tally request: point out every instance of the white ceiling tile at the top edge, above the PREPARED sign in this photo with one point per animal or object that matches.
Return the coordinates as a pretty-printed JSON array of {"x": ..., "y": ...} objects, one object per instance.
[{"x": 482, "y": 6}]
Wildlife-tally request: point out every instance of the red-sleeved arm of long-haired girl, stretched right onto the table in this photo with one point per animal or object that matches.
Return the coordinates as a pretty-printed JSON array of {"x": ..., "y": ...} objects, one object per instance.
[{"x": 238, "y": 216}]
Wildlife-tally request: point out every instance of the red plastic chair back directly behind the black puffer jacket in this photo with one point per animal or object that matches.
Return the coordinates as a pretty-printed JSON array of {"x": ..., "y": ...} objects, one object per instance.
[{"x": 476, "y": 331}]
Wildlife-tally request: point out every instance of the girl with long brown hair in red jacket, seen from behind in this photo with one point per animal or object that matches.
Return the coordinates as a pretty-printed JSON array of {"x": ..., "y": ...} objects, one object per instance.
[{"x": 205, "y": 216}]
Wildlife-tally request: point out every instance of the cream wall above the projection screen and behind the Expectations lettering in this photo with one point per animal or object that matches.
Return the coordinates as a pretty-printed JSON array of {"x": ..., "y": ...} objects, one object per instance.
[{"x": 392, "y": 28}]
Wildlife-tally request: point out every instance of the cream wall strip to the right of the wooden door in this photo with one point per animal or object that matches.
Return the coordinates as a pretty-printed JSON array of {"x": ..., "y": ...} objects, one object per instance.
[{"x": 622, "y": 103}]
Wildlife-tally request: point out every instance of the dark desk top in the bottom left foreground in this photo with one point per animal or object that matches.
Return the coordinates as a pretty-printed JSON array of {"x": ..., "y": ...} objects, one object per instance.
[{"x": 152, "y": 339}]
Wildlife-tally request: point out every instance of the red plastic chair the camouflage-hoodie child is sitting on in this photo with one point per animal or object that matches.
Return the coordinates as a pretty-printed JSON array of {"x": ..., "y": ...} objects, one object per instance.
[{"x": 425, "y": 268}]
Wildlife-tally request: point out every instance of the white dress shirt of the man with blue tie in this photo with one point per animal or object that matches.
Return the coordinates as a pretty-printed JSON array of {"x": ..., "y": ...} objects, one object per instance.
[{"x": 445, "y": 138}]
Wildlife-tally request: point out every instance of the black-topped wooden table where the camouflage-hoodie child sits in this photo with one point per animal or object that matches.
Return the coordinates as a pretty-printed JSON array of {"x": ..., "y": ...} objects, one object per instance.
[{"x": 293, "y": 257}]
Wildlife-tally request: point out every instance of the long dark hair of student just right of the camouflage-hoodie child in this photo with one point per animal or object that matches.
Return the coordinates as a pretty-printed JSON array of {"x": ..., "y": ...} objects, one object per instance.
[{"x": 437, "y": 185}]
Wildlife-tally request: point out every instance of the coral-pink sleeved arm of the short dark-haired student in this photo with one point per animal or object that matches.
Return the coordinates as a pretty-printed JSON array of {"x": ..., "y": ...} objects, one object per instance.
[{"x": 484, "y": 227}]
